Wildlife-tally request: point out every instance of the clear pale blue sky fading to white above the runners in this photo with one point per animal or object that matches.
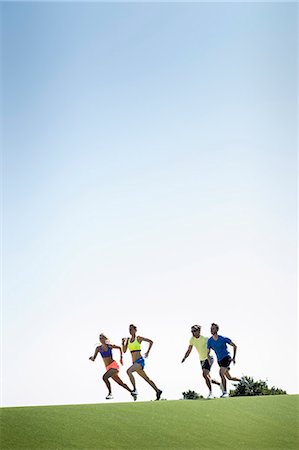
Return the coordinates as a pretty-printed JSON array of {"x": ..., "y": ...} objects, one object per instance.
[{"x": 149, "y": 177}]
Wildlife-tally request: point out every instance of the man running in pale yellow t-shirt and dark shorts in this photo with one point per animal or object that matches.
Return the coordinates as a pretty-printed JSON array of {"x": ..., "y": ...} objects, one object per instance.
[{"x": 200, "y": 343}]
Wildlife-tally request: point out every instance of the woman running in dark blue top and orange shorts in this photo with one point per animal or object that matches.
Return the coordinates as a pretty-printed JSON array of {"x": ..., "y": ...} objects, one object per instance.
[{"x": 112, "y": 368}]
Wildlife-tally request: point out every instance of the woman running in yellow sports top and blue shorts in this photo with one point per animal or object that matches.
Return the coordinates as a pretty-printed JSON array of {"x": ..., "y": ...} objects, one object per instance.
[{"x": 133, "y": 344}]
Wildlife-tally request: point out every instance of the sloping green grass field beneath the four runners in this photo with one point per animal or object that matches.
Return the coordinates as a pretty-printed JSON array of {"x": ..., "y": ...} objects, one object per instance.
[{"x": 269, "y": 422}]
